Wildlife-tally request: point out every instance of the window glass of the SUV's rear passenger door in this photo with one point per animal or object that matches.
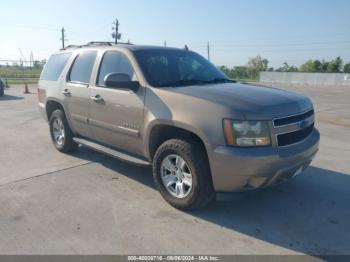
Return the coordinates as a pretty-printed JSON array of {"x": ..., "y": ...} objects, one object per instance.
[{"x": 82, "y": 67}]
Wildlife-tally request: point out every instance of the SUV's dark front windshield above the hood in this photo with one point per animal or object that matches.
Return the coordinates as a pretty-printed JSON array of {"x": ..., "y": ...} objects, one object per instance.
[{"x": 171, "y": 67}]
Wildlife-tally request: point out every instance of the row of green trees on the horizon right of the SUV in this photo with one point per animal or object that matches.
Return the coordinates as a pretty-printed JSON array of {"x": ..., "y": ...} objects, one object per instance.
[{"x": 258, "y": 64}]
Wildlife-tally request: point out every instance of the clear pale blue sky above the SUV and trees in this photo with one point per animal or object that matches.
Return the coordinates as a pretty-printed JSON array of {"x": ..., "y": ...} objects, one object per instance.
[{"x": 290, "y": 31}]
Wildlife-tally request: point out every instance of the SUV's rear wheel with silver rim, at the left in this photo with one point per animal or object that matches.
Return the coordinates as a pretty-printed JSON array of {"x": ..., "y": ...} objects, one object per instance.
[{"x": 58, "y": 122}]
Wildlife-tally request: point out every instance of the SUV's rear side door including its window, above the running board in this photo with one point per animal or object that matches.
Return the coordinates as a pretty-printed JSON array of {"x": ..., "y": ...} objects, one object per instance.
[{"x": 77, "y": 93}]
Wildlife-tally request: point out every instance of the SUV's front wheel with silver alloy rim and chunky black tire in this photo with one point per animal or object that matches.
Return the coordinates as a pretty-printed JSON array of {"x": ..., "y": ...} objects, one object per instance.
[{"x": 201, "y": 193}]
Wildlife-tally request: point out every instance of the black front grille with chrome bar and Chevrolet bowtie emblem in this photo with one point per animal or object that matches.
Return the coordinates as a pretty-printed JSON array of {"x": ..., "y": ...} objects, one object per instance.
[{"x": 293, "y": 129}]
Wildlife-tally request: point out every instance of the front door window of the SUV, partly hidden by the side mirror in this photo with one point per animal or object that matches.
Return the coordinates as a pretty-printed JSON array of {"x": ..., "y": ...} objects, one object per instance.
[{"x": 114, "y": 62}]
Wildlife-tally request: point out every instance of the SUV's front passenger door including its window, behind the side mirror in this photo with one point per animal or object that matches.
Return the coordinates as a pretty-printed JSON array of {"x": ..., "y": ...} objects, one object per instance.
[{"x": 116, "y": 115}]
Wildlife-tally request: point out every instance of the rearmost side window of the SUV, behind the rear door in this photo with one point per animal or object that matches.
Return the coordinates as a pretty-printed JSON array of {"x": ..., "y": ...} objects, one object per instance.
[{"x": 54, "y": 67}]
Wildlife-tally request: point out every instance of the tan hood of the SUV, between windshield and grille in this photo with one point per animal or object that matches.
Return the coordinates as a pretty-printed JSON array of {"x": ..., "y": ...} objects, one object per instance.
[{"x": 254, "y": 102}]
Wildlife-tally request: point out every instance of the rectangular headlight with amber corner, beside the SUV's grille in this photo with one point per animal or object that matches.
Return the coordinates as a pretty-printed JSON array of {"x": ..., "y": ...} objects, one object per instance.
[{"x": 246, "y": 133}]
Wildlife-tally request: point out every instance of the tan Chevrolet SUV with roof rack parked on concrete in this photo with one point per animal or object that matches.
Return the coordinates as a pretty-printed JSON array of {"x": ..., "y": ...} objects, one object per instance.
[{"x": 170, "y": 108}]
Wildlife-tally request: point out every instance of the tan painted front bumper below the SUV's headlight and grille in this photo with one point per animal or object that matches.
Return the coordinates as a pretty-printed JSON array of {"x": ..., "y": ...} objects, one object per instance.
[{"x": 240, "y": 169}]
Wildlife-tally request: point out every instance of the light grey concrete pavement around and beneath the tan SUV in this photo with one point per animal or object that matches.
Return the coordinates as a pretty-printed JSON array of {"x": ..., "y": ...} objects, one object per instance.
[{"x": 87, "y": 203}]
